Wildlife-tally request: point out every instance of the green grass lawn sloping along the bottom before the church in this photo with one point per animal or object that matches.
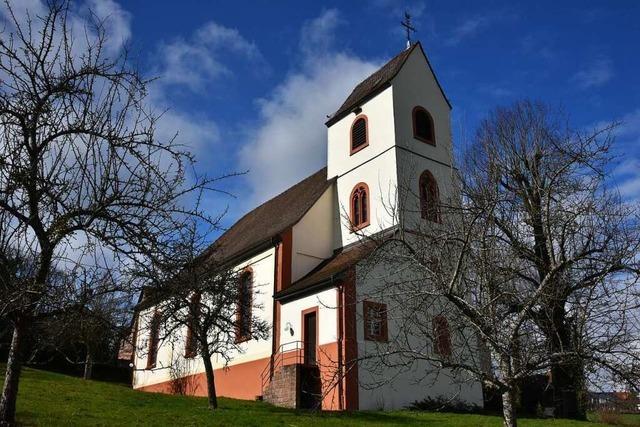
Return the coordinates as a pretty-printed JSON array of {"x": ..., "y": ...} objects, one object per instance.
[{"x": 54, "y": 399}]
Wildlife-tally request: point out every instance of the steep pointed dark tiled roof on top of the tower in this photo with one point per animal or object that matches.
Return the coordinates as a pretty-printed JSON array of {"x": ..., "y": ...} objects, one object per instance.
[{"x": 378, "y": 81}]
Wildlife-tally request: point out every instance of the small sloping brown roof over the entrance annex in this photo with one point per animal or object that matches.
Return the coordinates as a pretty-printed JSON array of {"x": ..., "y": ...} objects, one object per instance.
[{"x": 329, "y": 269}]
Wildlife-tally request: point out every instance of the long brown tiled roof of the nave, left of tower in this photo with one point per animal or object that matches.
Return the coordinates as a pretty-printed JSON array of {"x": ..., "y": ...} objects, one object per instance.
[{"x": 271, "y": 218}]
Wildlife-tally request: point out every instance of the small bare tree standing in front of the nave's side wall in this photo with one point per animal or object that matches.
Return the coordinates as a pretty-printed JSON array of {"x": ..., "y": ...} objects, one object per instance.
[{"x": 208, "y": 307}]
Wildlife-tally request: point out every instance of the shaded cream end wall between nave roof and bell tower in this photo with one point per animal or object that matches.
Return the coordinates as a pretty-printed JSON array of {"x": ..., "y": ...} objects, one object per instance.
[{"x": 313, "y": 236}]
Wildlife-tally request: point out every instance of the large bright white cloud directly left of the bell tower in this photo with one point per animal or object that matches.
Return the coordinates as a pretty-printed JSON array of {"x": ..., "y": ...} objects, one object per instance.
[{"x": 290, "y": 142}]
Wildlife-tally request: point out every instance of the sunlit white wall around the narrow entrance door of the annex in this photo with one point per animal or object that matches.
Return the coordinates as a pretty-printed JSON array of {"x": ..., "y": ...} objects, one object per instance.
[{"x": 291, "y": 312}]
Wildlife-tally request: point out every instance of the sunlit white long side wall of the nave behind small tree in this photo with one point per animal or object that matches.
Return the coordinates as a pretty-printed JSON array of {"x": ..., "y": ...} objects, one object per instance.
[{"x": 263, "y": 266}]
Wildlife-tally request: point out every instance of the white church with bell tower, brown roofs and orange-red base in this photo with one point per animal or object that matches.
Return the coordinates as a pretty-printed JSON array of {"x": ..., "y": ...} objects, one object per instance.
[{"x": 302, "y": 254}]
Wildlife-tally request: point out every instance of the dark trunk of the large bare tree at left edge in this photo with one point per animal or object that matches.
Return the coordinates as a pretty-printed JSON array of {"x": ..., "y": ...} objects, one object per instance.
[{"x": 12, "y": 378}]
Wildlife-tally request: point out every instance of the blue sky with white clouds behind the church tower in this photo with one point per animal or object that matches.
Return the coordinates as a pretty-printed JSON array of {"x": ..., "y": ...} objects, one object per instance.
[{"x": 248, "y": 84}]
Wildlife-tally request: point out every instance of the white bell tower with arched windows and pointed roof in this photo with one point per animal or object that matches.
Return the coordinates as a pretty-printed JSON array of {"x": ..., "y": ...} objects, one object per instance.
[{"x": 389, "y": 148}]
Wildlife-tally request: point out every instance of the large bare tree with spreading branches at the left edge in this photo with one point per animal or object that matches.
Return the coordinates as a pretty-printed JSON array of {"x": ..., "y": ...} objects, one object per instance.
[{"x": 79, "y": 163}]
